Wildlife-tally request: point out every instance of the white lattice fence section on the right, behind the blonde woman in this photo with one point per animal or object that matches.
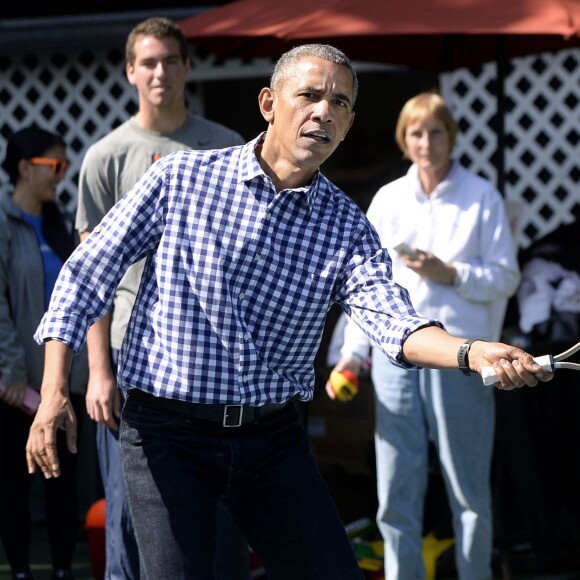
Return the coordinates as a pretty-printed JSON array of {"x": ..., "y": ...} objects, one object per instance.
[{"x": 542, "y": 135}]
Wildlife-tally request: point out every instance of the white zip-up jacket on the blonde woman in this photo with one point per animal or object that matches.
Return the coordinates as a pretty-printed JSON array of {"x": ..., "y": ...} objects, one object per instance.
[{"x": 463, "y": 222}]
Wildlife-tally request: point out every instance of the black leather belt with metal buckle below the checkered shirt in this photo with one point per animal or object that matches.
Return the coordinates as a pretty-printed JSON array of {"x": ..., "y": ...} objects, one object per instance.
[{"x": 227, "y": 415}]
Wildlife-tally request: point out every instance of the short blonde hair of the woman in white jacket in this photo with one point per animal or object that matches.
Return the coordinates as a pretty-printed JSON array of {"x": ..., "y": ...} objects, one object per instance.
[{"x": 419, "y": 108}]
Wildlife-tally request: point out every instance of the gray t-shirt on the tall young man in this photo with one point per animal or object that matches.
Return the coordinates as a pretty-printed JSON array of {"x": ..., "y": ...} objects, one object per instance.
[{"x": 112, "y": 165}]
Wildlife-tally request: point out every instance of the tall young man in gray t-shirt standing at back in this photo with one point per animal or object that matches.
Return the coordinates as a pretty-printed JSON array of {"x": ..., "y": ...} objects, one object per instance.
[{"x": 157, "y": 64}]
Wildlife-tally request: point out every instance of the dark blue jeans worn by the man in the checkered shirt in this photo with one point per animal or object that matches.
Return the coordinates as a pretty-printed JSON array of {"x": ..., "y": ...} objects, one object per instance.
[{"x": 178, "y": 469}]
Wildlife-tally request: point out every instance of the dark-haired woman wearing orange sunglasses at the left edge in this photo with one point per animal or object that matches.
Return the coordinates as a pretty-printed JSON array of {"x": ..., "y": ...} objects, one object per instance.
[{"x": 35, "y": 240}]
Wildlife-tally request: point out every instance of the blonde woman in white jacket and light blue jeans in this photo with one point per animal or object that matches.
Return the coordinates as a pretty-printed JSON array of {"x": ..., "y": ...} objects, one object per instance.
[{"x": 448, "y": 236}]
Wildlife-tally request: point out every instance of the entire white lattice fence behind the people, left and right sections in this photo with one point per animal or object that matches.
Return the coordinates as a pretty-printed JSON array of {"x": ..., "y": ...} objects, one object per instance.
[{"x": 85, "y": 94}]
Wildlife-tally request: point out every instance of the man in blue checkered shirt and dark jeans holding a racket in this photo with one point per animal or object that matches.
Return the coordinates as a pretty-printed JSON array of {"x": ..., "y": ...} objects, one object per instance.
[{"x": 247, "y": 248}]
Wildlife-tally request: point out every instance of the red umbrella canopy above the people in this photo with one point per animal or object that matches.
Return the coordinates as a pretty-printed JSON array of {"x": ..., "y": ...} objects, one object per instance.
[{"x": 425, "y": 34}]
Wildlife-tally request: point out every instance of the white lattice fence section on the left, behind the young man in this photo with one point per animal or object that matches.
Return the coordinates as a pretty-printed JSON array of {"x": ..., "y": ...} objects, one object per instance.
[{"x": 81, "y": 95}]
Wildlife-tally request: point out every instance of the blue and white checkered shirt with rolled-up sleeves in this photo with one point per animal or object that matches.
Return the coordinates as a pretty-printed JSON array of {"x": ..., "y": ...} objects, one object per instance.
[{"x": 238, "y": 280}]
